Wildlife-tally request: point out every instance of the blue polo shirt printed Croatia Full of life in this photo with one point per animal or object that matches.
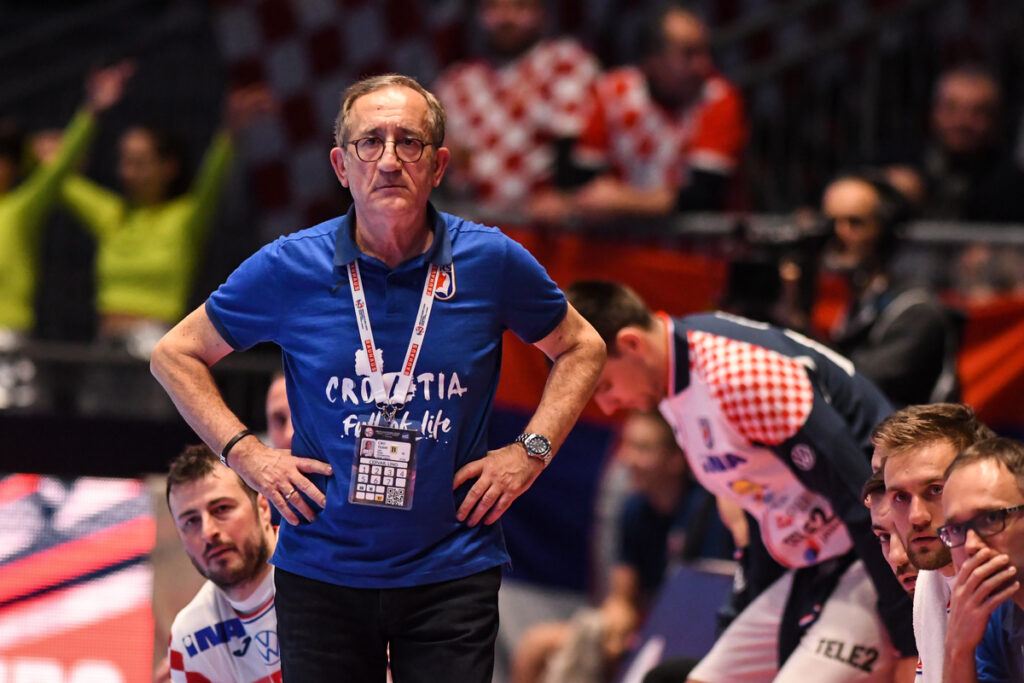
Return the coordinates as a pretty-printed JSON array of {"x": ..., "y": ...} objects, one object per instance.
[{"x": 294, "y": 292}]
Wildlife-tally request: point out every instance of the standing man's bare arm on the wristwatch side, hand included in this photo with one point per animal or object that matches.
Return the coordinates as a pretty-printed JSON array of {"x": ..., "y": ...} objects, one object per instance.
[{"x": 503, "y": 476}]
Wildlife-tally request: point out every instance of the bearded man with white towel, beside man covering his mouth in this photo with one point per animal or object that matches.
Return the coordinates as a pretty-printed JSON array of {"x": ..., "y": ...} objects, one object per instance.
[{"x": 916, "y": 446}]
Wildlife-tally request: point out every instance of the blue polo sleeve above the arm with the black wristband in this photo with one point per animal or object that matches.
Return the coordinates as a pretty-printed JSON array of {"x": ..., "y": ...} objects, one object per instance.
[{"x": 246, "y": 310}]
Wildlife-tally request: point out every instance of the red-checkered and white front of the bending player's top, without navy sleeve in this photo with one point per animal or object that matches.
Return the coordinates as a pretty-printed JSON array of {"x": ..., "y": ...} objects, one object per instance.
[{"x": 743, "y": 398}]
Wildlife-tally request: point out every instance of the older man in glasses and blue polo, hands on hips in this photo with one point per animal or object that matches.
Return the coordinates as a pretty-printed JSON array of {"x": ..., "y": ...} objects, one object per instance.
[{"x": 391, "y": 322}]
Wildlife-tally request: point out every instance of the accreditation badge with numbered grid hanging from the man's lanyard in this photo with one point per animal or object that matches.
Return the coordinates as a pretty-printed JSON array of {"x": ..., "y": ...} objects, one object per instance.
[{"x": 385, "y": 467}]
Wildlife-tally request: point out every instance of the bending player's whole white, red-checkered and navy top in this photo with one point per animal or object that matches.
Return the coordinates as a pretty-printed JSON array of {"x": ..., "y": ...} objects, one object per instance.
[{"x": 778, "y": 423}]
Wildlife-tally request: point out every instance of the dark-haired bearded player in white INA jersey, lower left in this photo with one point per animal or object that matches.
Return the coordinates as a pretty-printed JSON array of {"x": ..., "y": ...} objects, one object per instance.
[{"x": 229, "y": 632}]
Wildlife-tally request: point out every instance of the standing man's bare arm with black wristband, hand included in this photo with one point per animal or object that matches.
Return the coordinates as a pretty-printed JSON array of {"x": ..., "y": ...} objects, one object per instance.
[{"x": 182, "y": 364}]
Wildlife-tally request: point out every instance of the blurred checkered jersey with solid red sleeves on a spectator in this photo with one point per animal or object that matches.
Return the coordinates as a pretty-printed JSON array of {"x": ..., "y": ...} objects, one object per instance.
[{"x": 652, "y": 148}]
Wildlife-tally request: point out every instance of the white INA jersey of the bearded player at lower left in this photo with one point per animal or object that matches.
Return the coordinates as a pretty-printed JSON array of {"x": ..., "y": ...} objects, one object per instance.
[{"x": 216, "y": 641}]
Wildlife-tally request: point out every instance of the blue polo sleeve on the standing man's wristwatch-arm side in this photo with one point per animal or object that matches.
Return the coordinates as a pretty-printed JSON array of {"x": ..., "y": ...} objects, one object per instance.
[{"x": 533, "y": 306}]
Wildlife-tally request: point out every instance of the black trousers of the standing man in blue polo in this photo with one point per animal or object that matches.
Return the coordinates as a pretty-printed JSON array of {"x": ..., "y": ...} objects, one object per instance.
[{"x": 438, "y": 632}]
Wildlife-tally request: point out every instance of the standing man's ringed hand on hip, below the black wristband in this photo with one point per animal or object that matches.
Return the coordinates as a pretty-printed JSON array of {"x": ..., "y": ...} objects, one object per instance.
[{"x": 279, "y": 476}]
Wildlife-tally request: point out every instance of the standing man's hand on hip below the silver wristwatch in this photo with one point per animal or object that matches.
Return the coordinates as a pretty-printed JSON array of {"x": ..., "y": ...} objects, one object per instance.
[{"x": 501, "y": 478}]
